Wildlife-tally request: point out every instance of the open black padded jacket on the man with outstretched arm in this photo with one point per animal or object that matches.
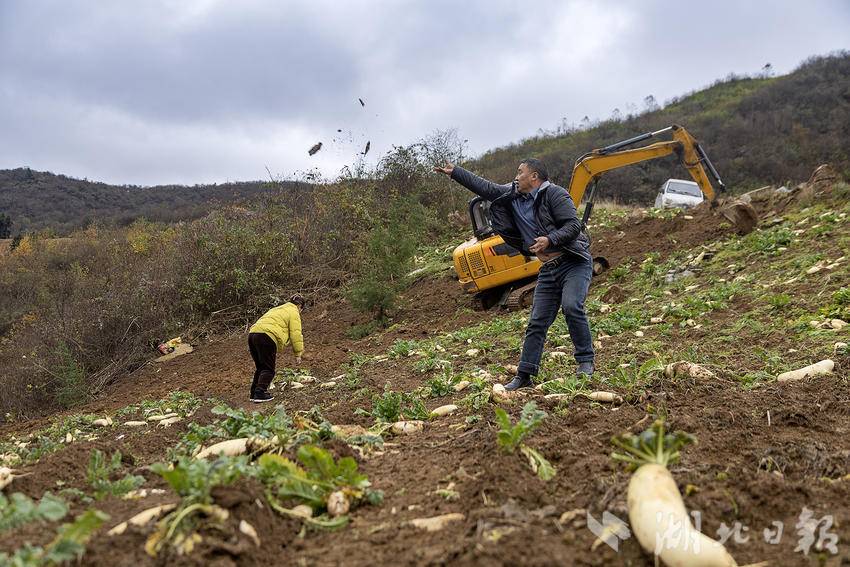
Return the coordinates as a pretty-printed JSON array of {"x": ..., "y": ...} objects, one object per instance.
[{"x": 554, "y": 212}]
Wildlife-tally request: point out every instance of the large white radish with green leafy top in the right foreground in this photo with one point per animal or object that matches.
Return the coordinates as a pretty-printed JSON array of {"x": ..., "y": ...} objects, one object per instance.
[{"x": 657, "y": 514}]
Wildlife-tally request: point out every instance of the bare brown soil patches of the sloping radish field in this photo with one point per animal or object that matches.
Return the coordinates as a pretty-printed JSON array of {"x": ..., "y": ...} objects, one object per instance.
[{"x": 764, "y": 454}]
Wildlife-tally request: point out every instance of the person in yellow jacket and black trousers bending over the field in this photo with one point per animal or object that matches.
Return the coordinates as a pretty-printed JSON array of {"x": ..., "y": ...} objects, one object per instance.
[{"x": 279, "y": 327}]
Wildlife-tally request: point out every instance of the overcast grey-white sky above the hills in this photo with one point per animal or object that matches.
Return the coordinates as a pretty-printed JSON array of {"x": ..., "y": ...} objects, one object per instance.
[{"x": 195, "y": 91}]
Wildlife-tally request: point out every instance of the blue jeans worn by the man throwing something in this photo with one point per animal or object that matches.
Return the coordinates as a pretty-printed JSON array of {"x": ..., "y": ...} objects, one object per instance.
[{"x": 562, "y": 285}]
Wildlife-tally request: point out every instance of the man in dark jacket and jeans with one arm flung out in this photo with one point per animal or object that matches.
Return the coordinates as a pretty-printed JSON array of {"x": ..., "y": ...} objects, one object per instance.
[{"x": 539, "y": 218}]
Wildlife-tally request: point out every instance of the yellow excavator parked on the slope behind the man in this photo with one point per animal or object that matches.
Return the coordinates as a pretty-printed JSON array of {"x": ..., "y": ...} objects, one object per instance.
[{"x": 498, "y": 273}]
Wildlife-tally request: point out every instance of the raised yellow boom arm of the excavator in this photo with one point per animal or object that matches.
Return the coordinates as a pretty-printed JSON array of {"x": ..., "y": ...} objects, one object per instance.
[{"x": 592, "y": 165}]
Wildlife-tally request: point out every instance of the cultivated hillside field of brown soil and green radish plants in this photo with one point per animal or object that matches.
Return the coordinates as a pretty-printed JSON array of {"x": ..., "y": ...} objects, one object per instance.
[{"x": 740, "y": 306}]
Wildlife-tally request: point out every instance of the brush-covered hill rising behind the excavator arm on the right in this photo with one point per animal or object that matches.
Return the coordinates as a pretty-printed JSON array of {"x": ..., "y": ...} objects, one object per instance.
[{"x": 756, "y": 131}]
